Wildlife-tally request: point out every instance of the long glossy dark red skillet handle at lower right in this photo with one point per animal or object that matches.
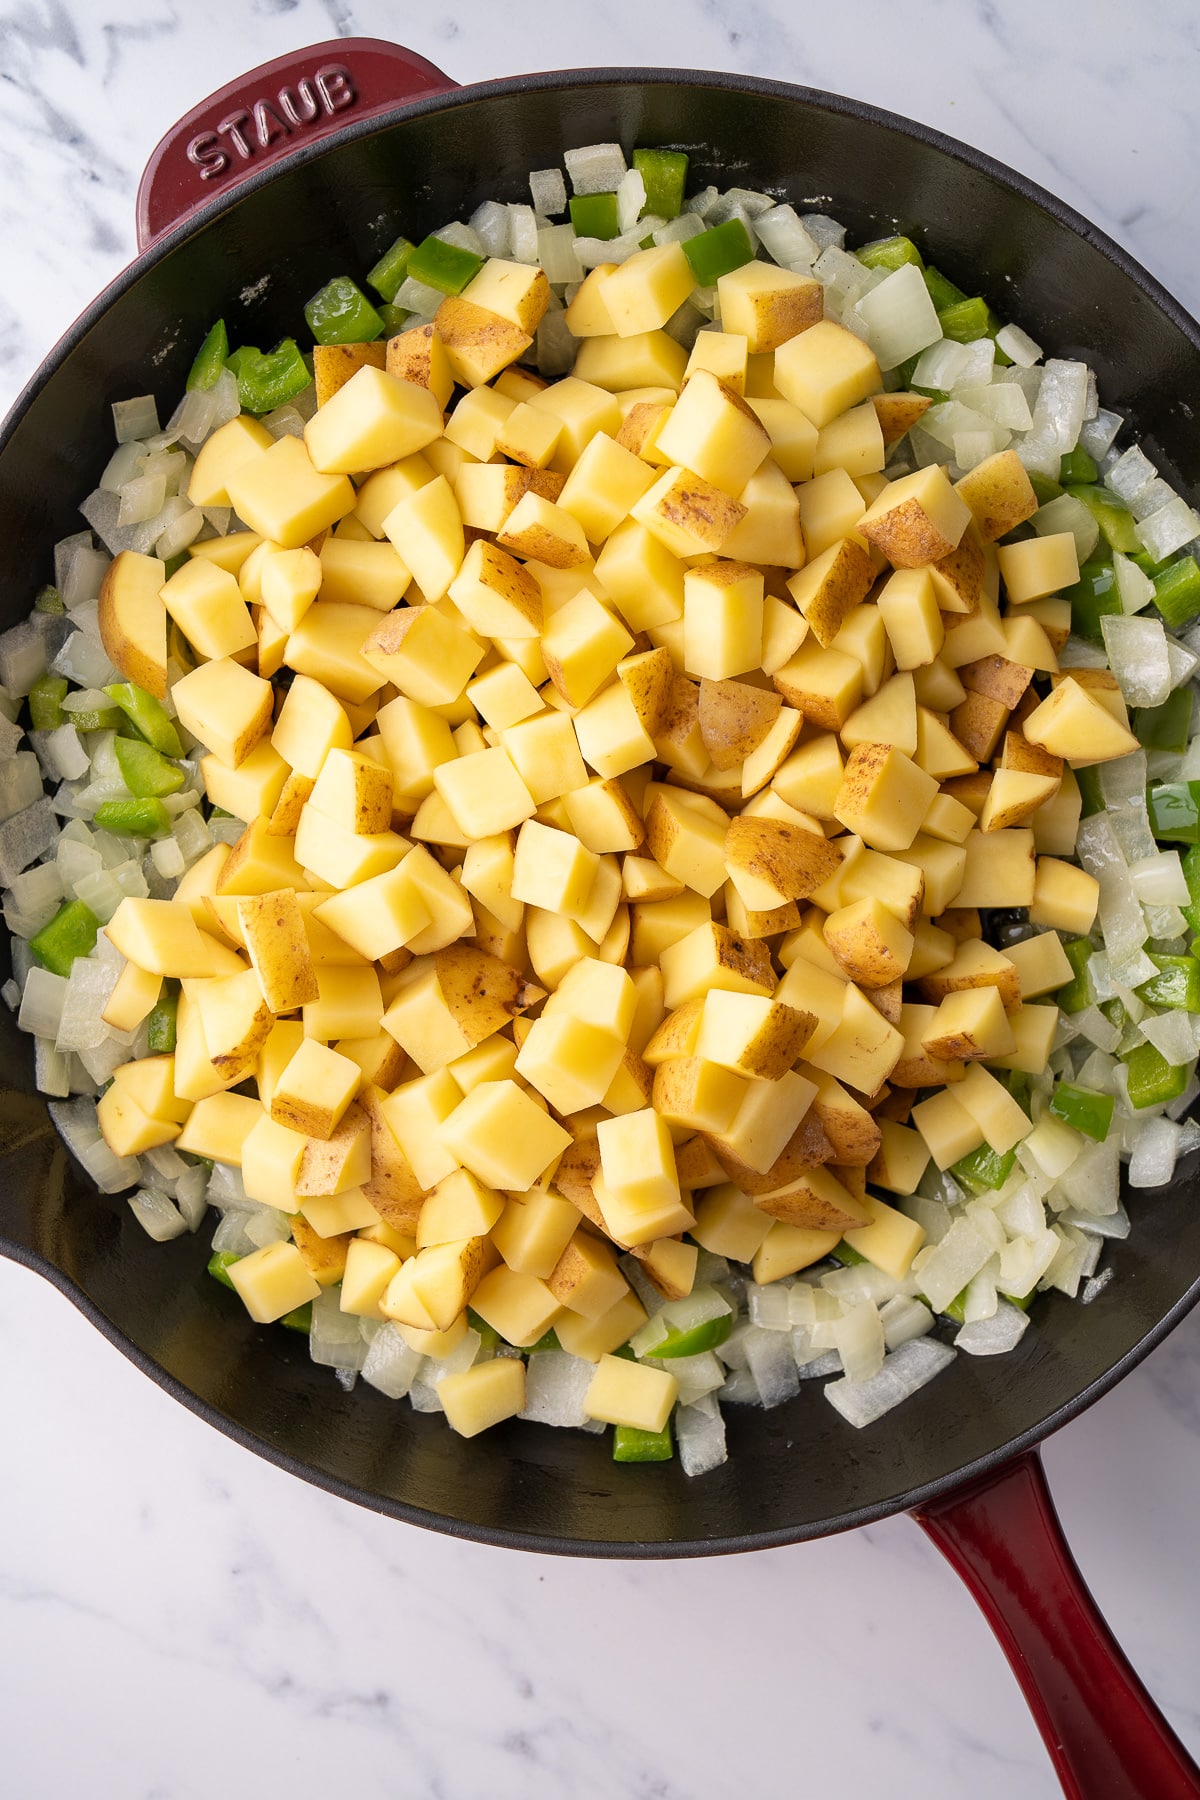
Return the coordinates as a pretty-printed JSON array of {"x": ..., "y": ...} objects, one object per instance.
[{"x": 1104, "y": 1732}]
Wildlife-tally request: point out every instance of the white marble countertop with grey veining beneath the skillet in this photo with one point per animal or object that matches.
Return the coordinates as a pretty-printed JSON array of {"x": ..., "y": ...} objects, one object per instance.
[{"x": 181, "y": 1619}]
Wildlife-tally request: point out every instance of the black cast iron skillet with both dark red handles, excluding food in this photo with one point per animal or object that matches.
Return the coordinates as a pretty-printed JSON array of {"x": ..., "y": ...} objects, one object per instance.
[{"x": 373, "y": 139}]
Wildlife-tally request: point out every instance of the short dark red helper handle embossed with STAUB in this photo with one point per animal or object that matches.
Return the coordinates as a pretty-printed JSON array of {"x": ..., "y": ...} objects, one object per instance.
[{"x": 269, "y": 114}]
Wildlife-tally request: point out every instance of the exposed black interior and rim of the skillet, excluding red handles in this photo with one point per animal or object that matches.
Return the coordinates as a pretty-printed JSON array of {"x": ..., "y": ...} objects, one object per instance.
[{"x": 798, "y": 1471}]
